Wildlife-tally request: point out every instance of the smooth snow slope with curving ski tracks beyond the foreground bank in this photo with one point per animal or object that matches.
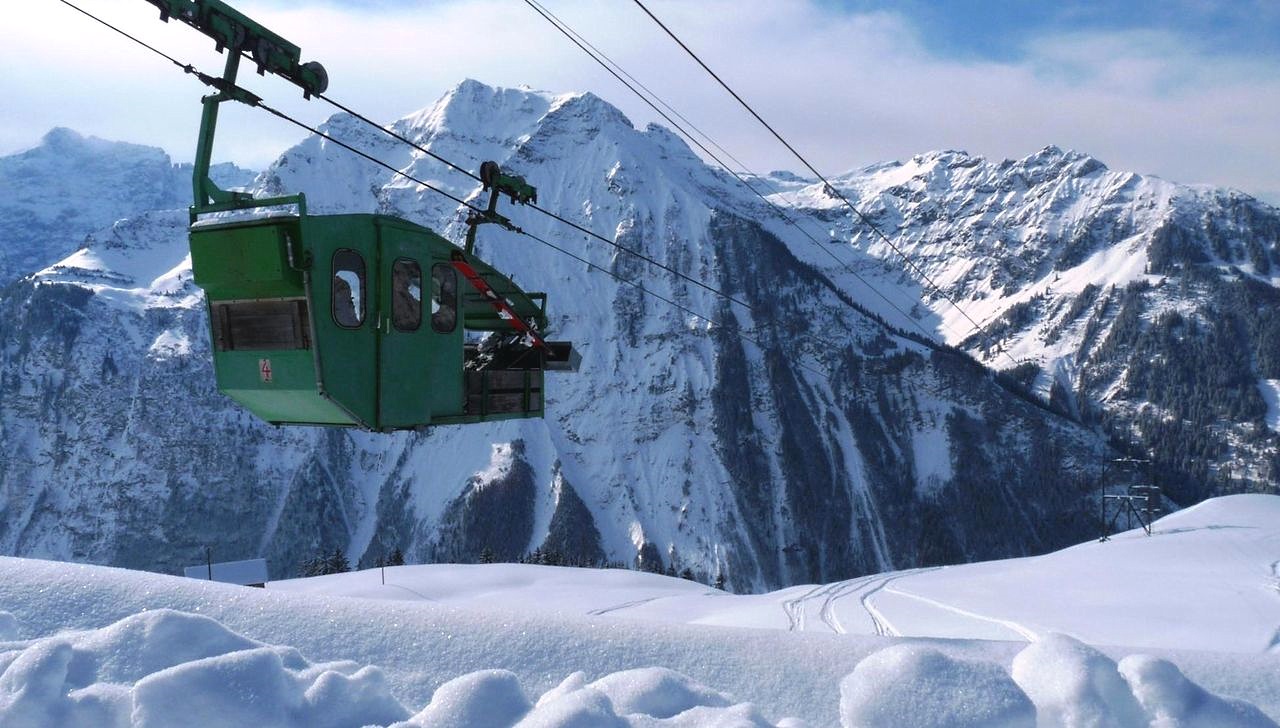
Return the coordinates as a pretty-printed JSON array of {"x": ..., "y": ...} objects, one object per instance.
[{"x": 1205, "y": 580}]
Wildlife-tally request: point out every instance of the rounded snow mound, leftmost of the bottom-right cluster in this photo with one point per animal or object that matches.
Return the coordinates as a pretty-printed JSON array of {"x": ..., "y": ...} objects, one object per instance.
[{"x": 916, "y": 685}]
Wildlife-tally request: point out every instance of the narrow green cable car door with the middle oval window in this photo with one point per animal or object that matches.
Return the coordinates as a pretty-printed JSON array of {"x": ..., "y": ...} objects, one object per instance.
[{"x": 404, "y": 397}]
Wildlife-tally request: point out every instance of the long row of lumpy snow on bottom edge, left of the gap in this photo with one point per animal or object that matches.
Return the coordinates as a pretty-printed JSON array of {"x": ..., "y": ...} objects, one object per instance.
[{"x": 164, "y": 669}]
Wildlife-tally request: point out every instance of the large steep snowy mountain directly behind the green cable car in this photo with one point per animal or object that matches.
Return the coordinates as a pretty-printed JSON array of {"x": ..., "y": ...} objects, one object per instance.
[{"x": 826, "y": 446}]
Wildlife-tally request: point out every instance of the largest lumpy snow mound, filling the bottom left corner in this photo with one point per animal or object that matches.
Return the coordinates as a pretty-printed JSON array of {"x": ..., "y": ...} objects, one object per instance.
[{"x": 171, "y": 669}]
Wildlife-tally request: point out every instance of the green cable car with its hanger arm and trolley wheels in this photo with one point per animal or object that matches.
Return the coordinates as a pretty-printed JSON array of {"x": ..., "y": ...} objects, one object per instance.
[{"x": 354, "y": 320}]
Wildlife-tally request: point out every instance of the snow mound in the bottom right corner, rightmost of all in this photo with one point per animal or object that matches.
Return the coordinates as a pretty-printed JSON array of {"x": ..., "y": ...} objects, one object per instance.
[{"x": 1172, "y": 700}]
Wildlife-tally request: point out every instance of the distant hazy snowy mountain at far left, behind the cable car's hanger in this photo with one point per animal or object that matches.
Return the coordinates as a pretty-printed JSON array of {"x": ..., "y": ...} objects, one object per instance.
[{"x": 57, "y": 194}]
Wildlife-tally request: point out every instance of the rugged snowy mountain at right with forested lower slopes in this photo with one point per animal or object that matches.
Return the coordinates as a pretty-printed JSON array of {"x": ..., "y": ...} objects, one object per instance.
[{"x": 1150, "y": 306}]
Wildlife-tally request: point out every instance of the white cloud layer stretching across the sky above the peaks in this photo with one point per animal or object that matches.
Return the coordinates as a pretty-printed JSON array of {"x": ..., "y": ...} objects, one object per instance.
[{"x": 847, "y": 90}]
